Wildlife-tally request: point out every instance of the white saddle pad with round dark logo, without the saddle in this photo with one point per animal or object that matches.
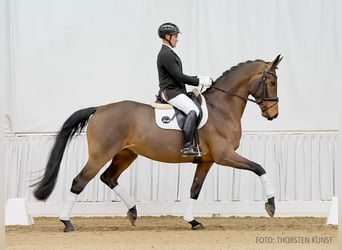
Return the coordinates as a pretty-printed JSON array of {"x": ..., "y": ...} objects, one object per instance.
[{"x": 162, "y": 115}]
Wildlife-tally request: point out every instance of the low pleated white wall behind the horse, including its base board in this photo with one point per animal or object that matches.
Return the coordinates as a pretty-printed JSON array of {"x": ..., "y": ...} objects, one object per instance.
[{"x": 301, "y": 165}]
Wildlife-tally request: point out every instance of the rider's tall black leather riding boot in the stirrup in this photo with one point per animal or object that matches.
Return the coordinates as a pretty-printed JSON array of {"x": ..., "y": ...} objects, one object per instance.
[{"x": 189, "y": 128}]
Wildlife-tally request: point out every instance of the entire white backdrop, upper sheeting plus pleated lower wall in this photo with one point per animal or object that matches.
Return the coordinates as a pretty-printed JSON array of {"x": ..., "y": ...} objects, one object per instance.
[{"x": 65, "y": 55}]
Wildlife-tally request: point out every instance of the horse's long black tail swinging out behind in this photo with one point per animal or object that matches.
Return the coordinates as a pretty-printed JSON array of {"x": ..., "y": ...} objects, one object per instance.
[{"x": 76, "y": 122}]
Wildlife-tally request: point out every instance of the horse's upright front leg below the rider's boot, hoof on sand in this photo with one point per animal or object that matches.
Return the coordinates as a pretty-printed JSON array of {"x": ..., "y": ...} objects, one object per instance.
[{"x": 200, "y": 174}]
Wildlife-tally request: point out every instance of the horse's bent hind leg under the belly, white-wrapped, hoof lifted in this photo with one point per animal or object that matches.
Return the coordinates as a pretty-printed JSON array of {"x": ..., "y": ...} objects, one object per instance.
[{"x": 120, "y": 162}]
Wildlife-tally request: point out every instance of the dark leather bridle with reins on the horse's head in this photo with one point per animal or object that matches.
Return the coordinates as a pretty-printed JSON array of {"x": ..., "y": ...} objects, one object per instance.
[{"x": 262, "y": 84}]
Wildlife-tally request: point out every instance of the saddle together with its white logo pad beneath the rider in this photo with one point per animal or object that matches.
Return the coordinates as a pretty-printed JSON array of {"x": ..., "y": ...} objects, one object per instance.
[{"x": 169, "y": 117}]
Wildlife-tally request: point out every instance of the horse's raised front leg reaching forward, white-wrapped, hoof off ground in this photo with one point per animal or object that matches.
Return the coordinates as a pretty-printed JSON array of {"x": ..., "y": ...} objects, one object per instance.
[{"x": 235, "y": 160}]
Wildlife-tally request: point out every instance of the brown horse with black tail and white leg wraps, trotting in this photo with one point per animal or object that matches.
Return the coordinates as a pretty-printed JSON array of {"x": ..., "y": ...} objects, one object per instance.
[{"x": 119, "y": 132}]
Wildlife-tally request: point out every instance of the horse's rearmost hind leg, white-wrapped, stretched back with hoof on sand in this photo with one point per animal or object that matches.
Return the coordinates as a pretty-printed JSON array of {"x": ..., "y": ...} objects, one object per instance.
[{"x": 91, "y": 168}]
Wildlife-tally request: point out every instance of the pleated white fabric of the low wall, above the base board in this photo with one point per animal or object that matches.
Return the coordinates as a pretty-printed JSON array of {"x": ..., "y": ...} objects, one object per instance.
[{"x": 301, "y": 166}]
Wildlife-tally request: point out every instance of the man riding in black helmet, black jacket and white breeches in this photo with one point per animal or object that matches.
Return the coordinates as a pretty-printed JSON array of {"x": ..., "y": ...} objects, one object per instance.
[{"x": 172, "y": 84}]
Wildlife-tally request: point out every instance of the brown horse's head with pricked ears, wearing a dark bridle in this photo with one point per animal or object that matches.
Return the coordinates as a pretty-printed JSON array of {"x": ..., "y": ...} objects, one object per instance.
[{"x": 263, "y": 87}]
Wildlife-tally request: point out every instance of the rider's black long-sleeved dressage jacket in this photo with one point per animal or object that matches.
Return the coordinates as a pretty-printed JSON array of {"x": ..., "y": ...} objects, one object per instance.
[{"x": 171, "y": 78}]
